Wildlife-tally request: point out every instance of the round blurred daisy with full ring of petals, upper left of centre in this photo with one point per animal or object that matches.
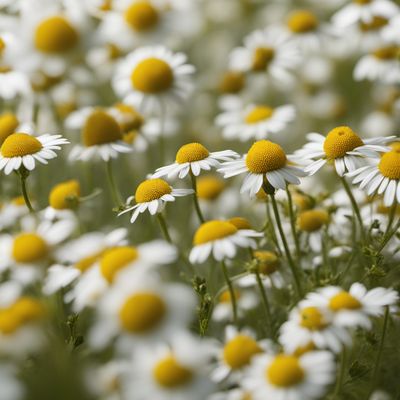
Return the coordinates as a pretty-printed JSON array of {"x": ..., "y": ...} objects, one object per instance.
[{"x": 153, "y": 78}]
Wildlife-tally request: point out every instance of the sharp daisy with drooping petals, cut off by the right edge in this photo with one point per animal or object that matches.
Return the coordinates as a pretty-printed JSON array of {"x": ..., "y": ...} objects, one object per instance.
[{"x": 382, "y": 178}]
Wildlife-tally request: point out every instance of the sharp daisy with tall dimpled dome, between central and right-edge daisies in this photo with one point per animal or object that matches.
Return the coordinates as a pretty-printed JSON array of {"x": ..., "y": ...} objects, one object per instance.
[{"x": 342, "y": 147}]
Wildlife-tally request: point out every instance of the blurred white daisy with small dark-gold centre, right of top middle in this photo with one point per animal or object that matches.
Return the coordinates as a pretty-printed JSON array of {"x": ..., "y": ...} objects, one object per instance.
[{"x": 267, "y": 51}]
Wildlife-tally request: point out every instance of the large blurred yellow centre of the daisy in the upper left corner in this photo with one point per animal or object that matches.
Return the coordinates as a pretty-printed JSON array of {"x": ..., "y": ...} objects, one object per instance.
[{"x": 55, "y": 35}]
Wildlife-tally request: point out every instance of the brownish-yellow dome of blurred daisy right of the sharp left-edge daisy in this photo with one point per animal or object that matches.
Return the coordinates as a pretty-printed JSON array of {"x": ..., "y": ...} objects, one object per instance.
[{"x": 100, "y": 128}]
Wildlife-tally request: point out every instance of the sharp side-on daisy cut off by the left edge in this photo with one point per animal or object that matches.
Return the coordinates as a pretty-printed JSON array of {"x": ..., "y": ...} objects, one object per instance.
[{"x": 24, "y": 150}]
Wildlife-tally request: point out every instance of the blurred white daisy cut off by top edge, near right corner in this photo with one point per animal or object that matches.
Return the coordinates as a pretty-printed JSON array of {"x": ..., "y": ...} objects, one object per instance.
[{"x": 364, "y": 11}]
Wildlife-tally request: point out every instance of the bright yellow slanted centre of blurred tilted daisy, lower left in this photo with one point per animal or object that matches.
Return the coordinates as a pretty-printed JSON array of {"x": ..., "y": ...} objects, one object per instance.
[{"x": 116, "y": 259}]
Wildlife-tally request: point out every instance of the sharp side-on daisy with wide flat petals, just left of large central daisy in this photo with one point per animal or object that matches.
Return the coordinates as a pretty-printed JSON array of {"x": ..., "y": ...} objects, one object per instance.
[{"x": 192, "y": 158}]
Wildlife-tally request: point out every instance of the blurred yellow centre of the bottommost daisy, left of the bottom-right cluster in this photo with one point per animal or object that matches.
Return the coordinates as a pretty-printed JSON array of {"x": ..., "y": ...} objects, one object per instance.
[{"x": 169, "y": 374}]
